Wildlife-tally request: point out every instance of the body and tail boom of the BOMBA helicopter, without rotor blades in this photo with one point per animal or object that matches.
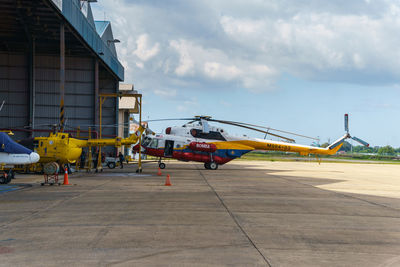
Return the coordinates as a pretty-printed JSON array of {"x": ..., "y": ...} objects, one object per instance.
[{"x": 191, "y": 143}]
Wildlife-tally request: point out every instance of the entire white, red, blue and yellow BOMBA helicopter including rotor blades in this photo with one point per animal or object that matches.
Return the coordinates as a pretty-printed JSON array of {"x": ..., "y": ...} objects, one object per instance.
[{"x": 200, "y": 142}]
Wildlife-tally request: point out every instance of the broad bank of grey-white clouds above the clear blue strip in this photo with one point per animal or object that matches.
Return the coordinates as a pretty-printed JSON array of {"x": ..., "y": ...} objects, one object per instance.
[{"x": 251, "y": 44}]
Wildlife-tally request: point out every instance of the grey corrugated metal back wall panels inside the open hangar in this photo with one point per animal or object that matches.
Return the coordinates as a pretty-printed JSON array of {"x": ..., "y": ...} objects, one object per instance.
[{"x": 79, "y": 92}]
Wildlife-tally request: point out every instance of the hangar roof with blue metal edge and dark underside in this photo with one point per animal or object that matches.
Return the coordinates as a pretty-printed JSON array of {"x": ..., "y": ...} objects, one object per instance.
[{"x": 26, "y": 20}]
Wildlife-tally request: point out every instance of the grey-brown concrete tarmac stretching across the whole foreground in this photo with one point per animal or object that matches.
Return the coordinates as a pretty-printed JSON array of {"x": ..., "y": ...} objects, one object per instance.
[{"x": 244, "y": 214}]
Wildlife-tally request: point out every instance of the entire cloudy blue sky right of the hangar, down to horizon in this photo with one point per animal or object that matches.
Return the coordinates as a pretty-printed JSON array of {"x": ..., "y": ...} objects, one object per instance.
[{"x": 295, "y": 65}]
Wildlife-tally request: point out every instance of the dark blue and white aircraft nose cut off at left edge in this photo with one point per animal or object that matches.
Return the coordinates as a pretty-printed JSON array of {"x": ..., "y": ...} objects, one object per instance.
[{"x": 12, "y": 153}]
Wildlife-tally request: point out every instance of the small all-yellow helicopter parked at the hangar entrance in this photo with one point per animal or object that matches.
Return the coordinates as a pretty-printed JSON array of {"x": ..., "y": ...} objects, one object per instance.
[{"x": 61, "y": 148}]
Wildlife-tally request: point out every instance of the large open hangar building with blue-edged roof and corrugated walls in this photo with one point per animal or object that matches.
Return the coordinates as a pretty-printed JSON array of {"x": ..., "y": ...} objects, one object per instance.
[{"x": 50, "y": 50}]
